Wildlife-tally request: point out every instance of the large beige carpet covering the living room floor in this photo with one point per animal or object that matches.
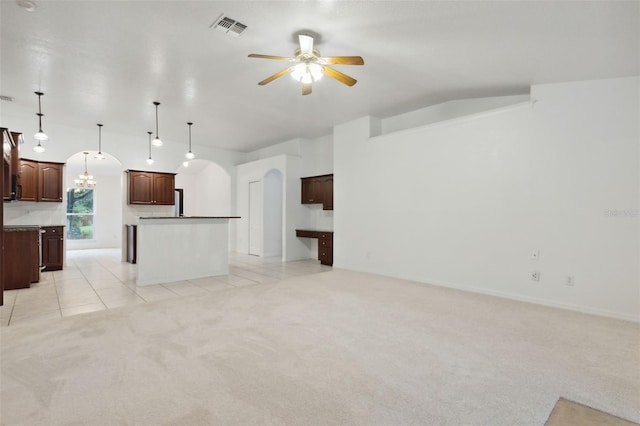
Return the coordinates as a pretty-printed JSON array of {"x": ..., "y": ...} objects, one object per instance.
[{"x": 332, "y": 348}]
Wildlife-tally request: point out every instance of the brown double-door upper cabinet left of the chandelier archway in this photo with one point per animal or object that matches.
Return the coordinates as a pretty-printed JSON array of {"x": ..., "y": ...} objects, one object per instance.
[{"x": 40, "y": 181}]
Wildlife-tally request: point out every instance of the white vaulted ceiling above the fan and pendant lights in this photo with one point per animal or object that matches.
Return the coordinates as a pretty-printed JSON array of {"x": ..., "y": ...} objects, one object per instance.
[{"x": 107, "y": 61}]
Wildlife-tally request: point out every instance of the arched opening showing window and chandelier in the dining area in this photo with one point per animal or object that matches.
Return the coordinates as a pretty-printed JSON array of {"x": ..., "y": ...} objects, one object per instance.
[{"x": 93, "y": 216}]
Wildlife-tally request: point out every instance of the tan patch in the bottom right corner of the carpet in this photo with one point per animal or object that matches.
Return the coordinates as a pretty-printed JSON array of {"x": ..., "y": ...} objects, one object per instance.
[{"x": 572, "y": 413}]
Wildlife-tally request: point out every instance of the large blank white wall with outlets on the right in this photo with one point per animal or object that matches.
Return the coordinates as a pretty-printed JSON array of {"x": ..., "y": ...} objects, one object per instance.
[{"x": 465, "y": 204}]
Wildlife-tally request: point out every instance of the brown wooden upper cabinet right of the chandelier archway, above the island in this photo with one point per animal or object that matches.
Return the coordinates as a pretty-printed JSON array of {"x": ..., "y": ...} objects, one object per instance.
[{"x": 151, "y": 188}]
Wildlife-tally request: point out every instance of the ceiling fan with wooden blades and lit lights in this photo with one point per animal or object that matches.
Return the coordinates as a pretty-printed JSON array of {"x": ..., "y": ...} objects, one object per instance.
[{"x": 308, "y": 66}]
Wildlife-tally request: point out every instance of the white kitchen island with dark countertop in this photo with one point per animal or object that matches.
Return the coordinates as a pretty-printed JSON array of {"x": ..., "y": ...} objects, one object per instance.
[{"x": 173, "y": 249}]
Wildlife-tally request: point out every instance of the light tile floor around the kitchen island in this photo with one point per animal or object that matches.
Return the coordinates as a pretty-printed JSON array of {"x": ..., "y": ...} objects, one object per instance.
[{"x": 94, "y": 280}]
